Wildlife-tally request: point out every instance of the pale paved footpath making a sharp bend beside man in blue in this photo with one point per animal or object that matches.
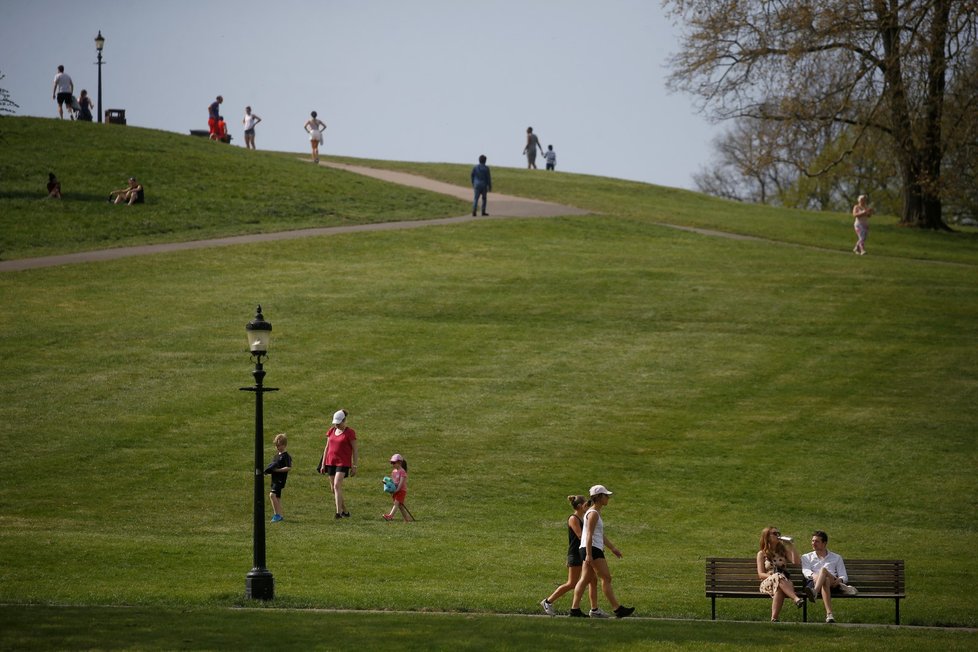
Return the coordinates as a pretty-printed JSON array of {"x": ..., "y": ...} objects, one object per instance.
[{"x": 500, "y": 206}]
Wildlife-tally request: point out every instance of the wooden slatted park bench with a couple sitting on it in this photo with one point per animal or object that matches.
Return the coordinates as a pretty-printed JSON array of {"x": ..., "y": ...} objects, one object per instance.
[{"x": 729, "y": 577}]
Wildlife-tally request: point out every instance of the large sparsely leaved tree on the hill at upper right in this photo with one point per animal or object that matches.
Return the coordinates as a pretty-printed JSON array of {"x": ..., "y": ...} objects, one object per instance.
[{"x": 873, "y": 67}]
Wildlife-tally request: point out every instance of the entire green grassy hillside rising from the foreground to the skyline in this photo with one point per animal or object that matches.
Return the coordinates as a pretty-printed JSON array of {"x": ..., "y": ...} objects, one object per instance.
[{"x": 717, "y": 386}]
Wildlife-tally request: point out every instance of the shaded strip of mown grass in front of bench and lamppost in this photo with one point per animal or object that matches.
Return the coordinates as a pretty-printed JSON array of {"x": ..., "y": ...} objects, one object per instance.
[{"x": 249, "y": 629}]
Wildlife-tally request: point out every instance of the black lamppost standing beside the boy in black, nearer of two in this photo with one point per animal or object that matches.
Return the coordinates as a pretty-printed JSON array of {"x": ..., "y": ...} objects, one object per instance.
[{"x": 259, "y": 583}]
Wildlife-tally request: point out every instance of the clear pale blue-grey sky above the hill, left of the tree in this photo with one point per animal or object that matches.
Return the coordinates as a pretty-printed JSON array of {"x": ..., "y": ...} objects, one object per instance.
[{"x": 411, "y": 80}]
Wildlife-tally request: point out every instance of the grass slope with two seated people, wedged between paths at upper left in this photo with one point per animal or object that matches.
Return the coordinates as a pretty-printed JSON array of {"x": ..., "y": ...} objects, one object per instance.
[{"x": 196, "y": 189}]
